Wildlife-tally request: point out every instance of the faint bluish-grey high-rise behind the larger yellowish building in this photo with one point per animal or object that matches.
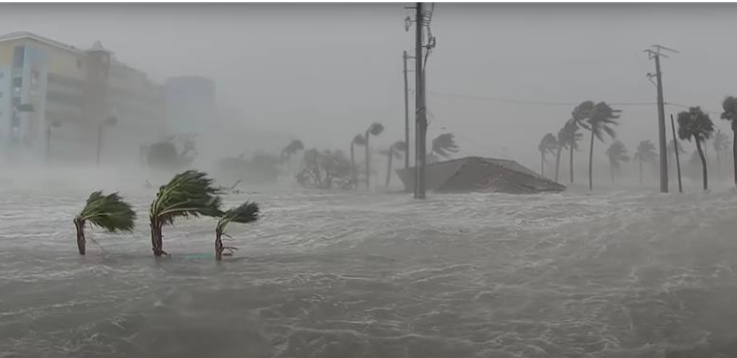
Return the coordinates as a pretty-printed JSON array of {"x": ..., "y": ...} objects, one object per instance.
[{"x": 191, "y": 104}]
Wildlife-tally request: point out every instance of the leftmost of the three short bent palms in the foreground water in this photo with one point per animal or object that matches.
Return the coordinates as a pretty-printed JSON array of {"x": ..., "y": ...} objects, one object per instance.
[{"x": 109, "y": 212}]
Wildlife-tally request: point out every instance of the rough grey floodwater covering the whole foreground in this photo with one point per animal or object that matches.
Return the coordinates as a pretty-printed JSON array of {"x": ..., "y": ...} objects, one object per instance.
[{"x": 345, "y": 275}]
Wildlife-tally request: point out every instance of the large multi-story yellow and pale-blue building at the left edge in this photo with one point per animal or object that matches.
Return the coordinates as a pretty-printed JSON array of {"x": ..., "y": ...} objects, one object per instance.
[{"x": 56, "y": 101}]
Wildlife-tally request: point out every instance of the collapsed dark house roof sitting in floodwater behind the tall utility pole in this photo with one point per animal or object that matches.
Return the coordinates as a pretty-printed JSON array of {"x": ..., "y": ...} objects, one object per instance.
[{"x": 476, "y": 174}]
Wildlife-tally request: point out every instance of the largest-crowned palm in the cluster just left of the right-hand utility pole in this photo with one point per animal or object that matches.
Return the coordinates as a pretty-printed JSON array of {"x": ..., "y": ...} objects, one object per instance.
[{"x": 600, "y": 118}]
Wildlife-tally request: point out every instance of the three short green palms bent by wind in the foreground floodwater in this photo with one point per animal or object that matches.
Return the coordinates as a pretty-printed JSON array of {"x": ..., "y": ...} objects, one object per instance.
[{"x": 188, "y": 194}]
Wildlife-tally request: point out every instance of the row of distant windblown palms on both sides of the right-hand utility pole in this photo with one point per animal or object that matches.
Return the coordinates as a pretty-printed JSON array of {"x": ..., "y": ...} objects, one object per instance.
[{"x": 599, "y": 119}]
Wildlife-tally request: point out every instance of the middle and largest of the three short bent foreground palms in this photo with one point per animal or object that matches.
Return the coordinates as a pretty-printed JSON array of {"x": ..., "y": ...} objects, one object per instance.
[{"x": 190, "y": 193}]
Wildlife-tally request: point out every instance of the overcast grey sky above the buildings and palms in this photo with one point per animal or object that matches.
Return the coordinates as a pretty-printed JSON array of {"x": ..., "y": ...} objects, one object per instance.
[{"x": 325, "y": 71}]
